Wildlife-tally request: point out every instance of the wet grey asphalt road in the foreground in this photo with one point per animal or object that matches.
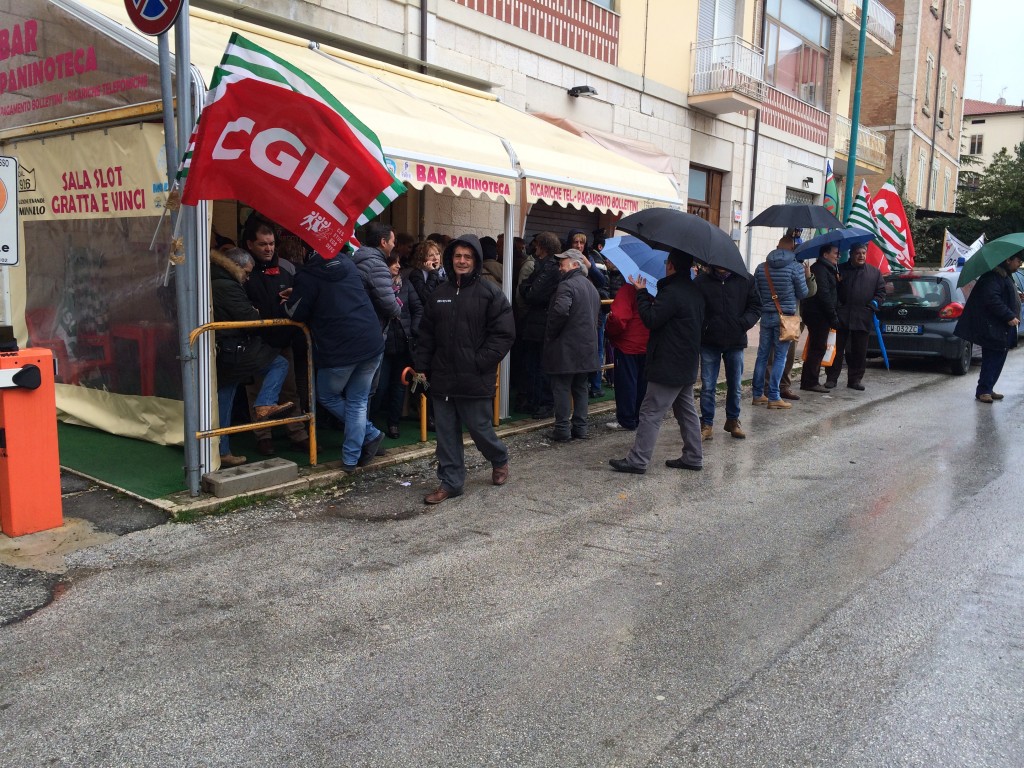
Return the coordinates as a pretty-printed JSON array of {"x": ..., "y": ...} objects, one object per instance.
[{"x": 844, "y": 588}]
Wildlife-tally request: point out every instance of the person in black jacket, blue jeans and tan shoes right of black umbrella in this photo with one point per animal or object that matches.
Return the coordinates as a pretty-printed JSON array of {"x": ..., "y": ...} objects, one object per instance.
[{"x": 733, "y": 307}]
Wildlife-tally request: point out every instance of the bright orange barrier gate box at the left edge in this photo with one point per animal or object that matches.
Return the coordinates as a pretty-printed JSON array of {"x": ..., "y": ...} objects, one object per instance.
[{"x": 30, "y": 463}]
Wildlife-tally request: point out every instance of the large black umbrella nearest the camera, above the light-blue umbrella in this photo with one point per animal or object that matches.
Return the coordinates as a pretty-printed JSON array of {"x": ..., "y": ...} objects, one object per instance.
[{"x": 669, "y": 229}]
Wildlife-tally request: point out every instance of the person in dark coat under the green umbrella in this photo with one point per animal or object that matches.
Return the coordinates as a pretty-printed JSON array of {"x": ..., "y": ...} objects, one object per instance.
[{"x": 990, "y": 320}]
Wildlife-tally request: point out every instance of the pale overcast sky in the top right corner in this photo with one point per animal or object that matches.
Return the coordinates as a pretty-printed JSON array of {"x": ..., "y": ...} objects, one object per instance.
[{"x": 996, "y": 52}]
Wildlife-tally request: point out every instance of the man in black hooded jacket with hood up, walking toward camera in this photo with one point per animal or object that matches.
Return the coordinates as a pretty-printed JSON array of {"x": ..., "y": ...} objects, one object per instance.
[{"x": 467, "y": 329}]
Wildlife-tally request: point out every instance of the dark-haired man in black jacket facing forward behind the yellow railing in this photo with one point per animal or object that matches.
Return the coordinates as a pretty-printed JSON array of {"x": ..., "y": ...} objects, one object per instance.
[{"x": 272, "y": 279}]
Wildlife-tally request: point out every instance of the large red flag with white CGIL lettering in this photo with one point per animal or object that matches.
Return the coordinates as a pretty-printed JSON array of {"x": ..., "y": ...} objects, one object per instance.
[{"x": 288, "y": 156}]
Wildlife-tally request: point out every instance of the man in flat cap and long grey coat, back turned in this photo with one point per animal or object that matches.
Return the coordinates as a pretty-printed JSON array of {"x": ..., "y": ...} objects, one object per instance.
[{"x": 571, "y": 346}]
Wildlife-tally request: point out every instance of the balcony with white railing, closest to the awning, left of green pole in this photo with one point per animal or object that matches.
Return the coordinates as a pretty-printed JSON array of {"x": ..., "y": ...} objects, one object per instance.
[{"x": 728, "y": 76}]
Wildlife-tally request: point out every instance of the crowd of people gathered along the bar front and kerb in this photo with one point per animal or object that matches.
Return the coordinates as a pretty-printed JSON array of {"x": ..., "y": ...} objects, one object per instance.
[{"x": 438, "y": 307}]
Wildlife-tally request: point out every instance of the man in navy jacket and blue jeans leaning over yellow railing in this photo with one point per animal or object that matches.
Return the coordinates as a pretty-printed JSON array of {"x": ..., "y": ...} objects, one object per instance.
[{"x": 348, "y": 349}]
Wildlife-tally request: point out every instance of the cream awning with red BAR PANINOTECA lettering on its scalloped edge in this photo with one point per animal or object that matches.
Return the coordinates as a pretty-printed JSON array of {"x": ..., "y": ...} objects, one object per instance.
[{"x": 443, "y": 136}]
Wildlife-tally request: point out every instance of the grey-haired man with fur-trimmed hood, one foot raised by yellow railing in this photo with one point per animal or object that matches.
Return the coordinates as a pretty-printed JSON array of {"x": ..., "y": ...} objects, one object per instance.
[{"x": 241, "y": 354}]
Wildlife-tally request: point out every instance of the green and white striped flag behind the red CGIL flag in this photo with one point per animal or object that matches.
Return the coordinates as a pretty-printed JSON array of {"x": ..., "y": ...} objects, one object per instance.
[{"x": 245, "y": 60}]
